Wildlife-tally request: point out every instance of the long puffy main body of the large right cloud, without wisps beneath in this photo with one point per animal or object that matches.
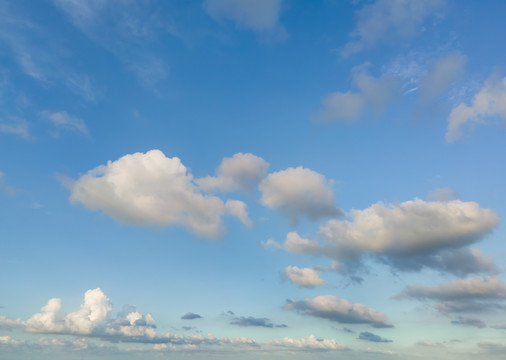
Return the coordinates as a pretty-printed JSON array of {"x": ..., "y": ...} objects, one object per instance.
[{"x": 409, "y": 228}]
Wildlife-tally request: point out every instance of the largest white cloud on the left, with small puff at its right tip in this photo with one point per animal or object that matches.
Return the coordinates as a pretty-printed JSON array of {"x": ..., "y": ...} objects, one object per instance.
[{"x": 151, "y": 189}]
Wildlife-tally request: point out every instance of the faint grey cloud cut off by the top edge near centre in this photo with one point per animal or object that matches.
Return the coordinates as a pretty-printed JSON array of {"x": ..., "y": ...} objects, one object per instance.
[{"x": 257, "y": 15}]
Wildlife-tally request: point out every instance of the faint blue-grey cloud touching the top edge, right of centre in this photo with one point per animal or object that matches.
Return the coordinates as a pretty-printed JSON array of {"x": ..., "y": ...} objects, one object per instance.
[{"x": 389, "y": 20}]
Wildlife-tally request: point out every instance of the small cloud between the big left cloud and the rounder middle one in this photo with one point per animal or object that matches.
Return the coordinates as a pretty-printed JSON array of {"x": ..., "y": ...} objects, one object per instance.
[{"x": 240, "y": 172}]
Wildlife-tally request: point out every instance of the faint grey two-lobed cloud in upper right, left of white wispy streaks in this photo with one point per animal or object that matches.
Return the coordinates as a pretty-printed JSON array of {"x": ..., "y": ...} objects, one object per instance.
[{"x": 374, "y": 93}]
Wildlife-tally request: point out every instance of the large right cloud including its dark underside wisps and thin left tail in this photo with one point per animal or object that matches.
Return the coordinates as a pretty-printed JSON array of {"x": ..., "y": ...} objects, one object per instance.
[{"x": 407, "y": 236}]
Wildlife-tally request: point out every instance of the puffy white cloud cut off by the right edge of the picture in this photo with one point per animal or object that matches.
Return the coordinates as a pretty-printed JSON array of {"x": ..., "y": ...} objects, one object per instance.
[{"x": 490, "y": 101}]
